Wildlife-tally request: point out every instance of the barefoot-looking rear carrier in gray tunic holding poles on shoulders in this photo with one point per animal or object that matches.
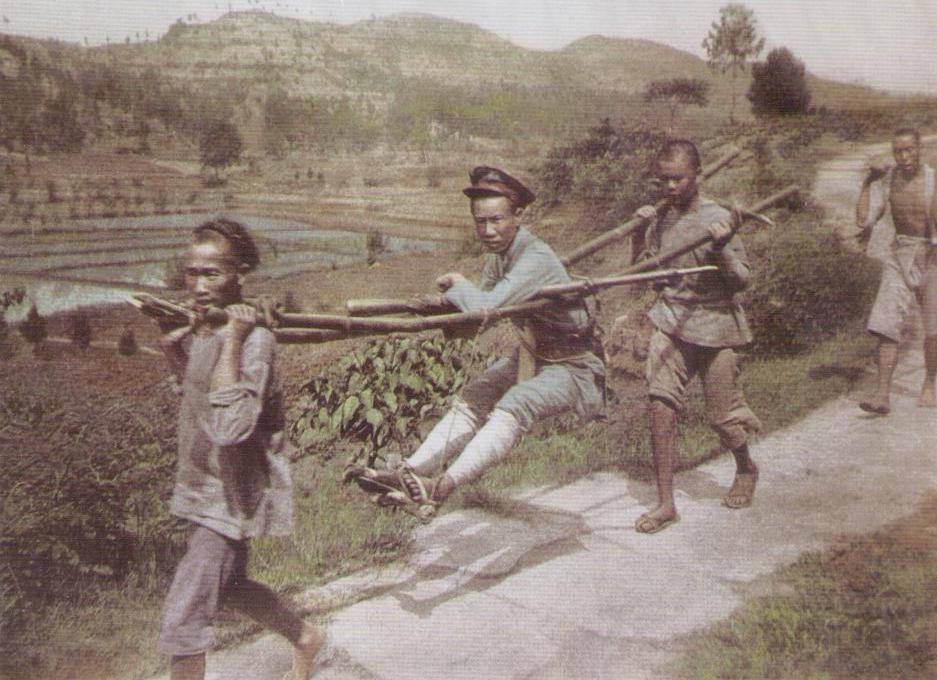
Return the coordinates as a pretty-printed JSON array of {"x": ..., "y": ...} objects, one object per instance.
[{"x": 698, "y": 322}]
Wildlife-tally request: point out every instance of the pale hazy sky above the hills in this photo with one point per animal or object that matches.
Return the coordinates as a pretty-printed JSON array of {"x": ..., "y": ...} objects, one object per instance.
[{"x": 889, "y": 44}]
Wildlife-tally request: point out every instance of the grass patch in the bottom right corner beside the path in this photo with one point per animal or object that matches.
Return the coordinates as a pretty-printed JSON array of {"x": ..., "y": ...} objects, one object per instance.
[{"x": 861, "y": 609}]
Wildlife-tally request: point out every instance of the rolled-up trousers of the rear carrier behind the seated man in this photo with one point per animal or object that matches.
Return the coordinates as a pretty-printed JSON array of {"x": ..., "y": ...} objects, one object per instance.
[{"x": 671, "y": 365}]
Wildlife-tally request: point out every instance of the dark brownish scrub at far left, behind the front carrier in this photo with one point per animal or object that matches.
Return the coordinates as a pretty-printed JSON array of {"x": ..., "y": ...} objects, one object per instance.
[{"x": 87, "y": 511}]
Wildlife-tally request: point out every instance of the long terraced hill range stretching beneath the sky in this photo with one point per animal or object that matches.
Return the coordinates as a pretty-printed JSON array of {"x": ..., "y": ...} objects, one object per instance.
[{"x": 406, "y": 78}]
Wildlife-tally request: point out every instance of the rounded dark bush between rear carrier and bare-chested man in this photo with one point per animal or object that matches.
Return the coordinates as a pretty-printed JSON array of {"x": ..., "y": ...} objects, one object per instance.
[{"x": 805, "y": 288}]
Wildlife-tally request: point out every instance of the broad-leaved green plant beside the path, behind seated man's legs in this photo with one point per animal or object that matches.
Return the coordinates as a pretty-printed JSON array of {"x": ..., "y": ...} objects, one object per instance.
[{"x": 381, "y": 395}]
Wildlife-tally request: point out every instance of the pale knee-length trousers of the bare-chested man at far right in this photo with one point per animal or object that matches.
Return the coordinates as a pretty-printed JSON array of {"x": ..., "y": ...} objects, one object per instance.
[{"x": 908, "y": 272}]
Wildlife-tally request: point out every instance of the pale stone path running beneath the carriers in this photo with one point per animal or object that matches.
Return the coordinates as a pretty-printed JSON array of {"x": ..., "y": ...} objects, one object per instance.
[{"x": 559, "y": 585}]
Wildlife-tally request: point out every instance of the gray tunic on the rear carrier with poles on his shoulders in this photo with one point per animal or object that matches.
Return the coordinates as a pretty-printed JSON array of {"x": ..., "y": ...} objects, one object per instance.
[{"x": 701, "y": 309}]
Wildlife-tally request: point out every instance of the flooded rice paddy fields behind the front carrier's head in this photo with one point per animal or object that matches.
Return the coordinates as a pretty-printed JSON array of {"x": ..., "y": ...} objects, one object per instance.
[{"x": 101, "y": 261}]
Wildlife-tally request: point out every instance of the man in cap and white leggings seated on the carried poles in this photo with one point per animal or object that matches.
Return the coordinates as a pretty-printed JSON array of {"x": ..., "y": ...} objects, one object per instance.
[{"x": 557, "y": 367}]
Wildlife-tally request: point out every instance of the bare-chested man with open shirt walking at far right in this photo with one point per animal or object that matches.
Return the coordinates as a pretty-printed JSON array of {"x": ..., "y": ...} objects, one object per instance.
[{"x": 910, "y": 270}]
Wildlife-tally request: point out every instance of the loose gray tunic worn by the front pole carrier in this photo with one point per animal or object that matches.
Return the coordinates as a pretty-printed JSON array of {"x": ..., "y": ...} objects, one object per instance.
[{"x": 232, "y": 474}]
